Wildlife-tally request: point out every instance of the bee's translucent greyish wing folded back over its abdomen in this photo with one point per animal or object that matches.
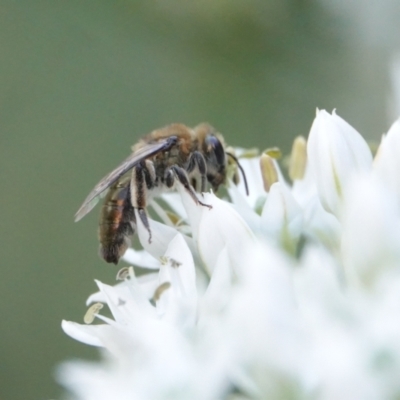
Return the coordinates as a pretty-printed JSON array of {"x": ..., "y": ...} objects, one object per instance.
[{"x": 139, "y": 155}]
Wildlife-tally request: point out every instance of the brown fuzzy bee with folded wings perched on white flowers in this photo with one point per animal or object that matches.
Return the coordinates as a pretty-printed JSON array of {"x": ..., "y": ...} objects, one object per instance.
[{"x": 175, "y": 153}]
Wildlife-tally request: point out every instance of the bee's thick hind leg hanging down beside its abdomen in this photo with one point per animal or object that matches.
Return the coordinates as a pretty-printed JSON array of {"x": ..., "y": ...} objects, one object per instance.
[{"x": 139, "y": 193}]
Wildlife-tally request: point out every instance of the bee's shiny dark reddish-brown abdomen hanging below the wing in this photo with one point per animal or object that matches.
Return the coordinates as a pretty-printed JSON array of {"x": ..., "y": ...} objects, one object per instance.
[{"x": 117, "y": 222}]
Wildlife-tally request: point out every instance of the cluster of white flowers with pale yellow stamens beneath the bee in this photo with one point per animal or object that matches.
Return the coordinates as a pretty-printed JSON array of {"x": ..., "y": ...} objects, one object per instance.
[{"x": 292, "y": 292}]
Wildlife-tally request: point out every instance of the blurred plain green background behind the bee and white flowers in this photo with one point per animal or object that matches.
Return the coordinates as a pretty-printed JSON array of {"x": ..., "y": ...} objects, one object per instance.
[{"x": 81, "y": 81}]
